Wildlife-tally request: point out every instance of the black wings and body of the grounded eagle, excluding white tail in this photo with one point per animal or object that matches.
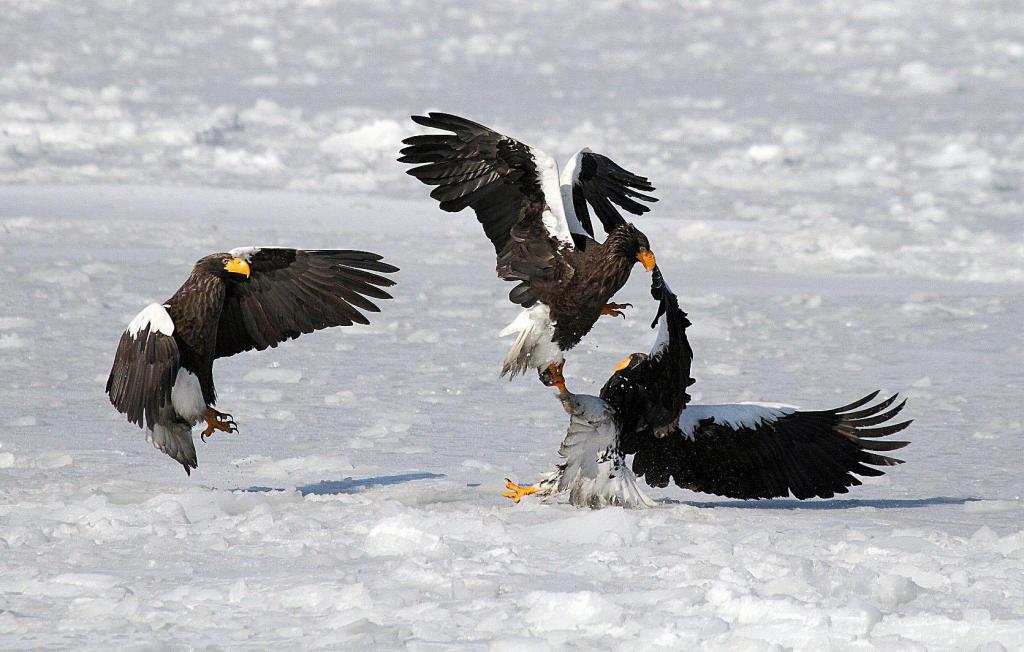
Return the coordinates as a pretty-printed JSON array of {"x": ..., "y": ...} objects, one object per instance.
[{"x": 804, "y": 454}]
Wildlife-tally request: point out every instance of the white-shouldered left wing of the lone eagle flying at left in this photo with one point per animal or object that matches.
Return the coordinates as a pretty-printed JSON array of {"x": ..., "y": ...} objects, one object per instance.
[{"x": 145, "y": 368}]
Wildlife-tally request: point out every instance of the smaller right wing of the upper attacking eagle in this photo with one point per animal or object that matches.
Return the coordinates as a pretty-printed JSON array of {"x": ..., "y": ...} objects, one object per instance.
[{"x": 598, "y": 181}]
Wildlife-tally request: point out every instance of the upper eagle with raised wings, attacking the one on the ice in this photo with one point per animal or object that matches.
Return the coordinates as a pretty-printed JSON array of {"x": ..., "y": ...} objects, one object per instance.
[{"x": 541, "y": 229}]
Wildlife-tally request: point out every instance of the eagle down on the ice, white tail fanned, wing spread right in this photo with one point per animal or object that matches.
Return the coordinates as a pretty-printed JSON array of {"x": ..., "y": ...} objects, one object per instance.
[{"x": 745, "y": 451}]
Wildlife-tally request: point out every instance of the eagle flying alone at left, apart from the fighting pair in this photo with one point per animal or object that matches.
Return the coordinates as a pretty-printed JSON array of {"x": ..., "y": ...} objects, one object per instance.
[{"x": 249, "y": 298}]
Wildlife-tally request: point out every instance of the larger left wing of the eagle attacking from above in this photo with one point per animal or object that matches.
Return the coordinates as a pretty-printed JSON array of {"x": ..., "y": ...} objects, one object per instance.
[{"x": 513, "y": 189}]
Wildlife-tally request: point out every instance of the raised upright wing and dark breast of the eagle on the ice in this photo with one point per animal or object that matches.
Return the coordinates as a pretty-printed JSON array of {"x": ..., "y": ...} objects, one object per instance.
[{"x": 650, "y": 392}]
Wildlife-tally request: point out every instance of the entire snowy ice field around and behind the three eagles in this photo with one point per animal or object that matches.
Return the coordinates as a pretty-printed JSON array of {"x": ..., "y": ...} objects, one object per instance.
[{"x": 842, "y": 211}]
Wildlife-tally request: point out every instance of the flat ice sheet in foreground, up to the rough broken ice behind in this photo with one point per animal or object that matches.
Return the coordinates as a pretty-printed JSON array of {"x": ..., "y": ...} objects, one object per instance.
[{"x": 360, "y": 506}]
